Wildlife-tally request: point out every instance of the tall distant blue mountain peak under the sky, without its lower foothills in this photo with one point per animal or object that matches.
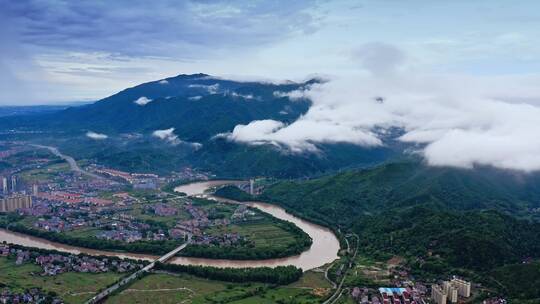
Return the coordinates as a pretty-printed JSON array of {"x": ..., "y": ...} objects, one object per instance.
[{"x": 198, "y": 106}]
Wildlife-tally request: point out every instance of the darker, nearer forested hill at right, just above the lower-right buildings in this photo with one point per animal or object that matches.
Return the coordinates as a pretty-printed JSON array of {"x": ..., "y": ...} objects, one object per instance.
[{"x": 479, "y": 240}]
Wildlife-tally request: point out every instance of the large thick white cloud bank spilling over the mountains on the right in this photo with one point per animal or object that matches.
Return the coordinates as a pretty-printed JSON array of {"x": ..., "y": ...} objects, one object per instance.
[{"x": 459, "y": 121}]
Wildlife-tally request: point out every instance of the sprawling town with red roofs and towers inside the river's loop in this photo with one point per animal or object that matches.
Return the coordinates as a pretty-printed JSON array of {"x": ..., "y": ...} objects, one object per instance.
[{"x": 108, "y": 204}]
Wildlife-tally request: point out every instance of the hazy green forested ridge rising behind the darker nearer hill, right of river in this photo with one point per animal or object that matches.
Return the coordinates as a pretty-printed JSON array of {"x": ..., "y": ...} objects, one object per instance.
[{"x": 339, "y": 199}]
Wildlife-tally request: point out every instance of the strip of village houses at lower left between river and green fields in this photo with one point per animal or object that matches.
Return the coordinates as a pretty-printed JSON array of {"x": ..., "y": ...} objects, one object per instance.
[{"x": 54, "y": 264}]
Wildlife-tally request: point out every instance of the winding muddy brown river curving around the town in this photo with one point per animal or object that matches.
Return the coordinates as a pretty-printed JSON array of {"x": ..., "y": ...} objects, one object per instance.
[{"x": 323, "y": 250}]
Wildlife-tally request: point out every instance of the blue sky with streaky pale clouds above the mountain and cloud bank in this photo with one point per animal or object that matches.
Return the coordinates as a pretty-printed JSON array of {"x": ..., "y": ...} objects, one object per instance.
[{"x": 56, "y": 51}]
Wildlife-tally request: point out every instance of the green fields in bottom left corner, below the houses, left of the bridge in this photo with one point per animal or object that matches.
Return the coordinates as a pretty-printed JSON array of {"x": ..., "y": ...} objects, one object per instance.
[{"x": 71, "y": 287}]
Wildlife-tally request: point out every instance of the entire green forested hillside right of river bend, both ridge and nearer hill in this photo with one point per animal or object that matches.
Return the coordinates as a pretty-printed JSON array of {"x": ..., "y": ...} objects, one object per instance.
[{"x": 442, "y": 217}]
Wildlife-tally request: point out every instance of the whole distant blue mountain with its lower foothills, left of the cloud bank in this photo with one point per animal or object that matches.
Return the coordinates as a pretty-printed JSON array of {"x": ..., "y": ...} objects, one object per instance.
[{"x": 185, "y": 121}]
